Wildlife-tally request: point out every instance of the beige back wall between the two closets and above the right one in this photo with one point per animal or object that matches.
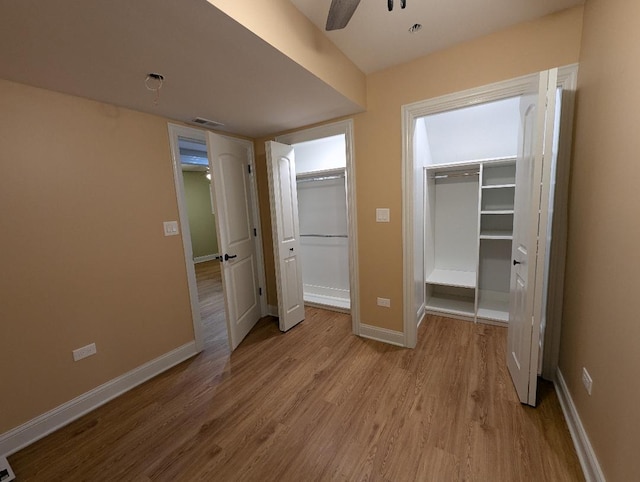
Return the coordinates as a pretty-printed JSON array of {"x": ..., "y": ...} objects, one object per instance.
[{"x": 523, "y": 49}]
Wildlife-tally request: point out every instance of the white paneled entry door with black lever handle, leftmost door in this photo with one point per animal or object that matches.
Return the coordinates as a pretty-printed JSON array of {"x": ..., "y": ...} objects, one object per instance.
[{"x": 231, "y": 182}]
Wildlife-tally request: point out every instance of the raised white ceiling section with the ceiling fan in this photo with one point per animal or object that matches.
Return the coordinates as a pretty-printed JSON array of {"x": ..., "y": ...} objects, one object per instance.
[{"x": 376, "y": 39}]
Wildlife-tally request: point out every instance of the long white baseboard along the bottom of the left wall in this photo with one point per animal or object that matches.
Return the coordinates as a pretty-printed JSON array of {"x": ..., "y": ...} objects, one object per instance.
[{"x": 43, "y": 425}]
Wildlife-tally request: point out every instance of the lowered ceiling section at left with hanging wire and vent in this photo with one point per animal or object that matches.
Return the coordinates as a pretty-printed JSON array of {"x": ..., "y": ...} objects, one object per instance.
[{"x": 214, "y": 67}]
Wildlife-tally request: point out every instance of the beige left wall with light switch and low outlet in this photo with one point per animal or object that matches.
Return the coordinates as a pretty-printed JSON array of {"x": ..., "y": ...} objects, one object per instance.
[{"x": 84, "y": 188}]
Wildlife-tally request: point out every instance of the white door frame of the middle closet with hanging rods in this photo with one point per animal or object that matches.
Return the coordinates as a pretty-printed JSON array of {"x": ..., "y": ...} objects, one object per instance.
[{"x": 336, "y": 128}]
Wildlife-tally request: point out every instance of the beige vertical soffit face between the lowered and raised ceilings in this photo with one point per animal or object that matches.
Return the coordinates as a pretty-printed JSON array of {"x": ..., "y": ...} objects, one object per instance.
[{"x": 282, "y": 25}]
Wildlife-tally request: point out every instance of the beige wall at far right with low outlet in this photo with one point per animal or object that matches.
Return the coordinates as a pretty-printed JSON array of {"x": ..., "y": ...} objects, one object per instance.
[{"x": 600, "y": 324}]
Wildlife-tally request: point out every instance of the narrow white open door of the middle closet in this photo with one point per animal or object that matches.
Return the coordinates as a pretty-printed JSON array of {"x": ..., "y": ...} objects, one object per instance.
[{"x": 286, "y": 233}]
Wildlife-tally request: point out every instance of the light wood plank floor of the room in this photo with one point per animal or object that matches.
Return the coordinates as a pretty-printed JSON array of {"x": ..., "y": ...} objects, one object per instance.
[{"x": 318, "y": 403}]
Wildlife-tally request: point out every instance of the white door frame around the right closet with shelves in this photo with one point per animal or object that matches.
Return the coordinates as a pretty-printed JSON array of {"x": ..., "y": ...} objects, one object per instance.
[{"x": 410, "y": 113}]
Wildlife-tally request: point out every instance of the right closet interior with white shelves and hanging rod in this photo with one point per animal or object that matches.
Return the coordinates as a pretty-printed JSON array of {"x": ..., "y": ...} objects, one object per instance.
[{"x": 469, "y": 158}]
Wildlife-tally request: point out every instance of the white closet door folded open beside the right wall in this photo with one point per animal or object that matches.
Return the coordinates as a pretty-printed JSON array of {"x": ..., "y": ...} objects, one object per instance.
[{"x": 526, "y": 293}]
